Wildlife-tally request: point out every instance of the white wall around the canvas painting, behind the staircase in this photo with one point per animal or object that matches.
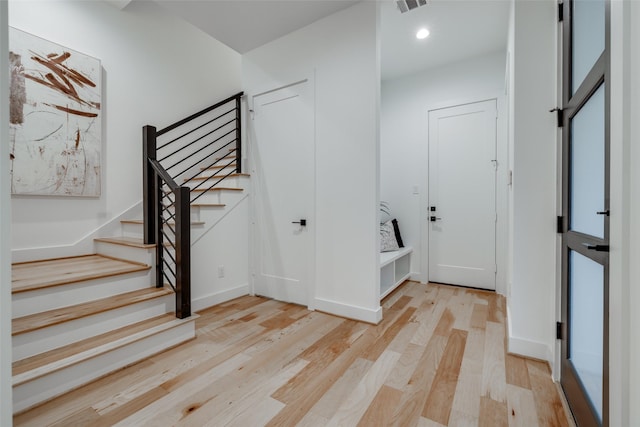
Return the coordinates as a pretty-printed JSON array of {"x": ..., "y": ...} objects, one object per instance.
[{"x": 156, "y": 70}]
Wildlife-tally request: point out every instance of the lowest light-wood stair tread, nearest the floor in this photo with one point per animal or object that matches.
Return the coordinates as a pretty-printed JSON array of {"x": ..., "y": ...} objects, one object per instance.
[{"x": 35, "y": 366}]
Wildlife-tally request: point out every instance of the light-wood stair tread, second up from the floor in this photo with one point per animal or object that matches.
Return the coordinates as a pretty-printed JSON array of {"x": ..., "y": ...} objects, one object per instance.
[{"x": 41, "y": 320}]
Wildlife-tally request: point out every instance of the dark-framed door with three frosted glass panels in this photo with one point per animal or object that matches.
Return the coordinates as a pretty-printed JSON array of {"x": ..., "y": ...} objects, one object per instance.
[{"x": 585, "y": 188}]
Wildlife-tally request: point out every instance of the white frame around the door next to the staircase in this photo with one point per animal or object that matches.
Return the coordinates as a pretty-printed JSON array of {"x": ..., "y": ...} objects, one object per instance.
[{"x": 250, "y": 162}]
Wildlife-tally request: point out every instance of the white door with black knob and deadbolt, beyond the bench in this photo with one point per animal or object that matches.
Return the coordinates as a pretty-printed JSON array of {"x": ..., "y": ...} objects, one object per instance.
[{"x": 462, "y": 195}]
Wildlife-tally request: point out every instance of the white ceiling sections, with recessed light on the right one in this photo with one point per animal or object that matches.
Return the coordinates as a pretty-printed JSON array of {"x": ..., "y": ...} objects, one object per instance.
[{"x": 459, "y": 28}]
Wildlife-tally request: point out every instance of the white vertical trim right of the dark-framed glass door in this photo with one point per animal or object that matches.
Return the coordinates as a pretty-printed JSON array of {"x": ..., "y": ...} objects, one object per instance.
[{"x": 622, "y": 306}]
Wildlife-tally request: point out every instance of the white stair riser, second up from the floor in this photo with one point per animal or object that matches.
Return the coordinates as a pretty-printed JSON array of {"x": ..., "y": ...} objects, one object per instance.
[{"x": 32, "y": 343}]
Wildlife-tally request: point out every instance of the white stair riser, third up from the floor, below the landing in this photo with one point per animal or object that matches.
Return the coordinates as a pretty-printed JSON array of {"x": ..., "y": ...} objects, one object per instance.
[{"x": 40, "y": 300}]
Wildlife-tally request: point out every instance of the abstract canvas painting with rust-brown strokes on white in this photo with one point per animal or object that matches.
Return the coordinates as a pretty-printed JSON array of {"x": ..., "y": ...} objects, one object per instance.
[{"x": 55, "y": 118}]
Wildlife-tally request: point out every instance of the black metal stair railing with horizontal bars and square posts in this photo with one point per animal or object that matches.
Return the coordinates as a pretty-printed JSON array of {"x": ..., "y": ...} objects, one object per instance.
[{"x": 209, "y": 140}]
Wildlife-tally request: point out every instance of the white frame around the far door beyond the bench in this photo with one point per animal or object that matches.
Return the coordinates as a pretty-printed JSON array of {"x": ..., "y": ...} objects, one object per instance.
[{"x": 503, "y": 189}]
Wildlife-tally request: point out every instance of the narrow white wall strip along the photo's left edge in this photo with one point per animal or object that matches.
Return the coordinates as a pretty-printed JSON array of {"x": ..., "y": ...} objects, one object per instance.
[{"x": 5, "y": 231}]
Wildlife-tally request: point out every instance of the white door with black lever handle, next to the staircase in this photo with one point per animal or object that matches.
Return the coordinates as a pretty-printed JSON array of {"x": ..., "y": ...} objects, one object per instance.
[{"x": 283, "y": 155}]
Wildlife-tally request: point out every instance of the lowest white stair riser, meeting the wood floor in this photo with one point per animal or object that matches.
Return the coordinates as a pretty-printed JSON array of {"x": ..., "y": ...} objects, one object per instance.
[{"x": 64, "y": 380}]
